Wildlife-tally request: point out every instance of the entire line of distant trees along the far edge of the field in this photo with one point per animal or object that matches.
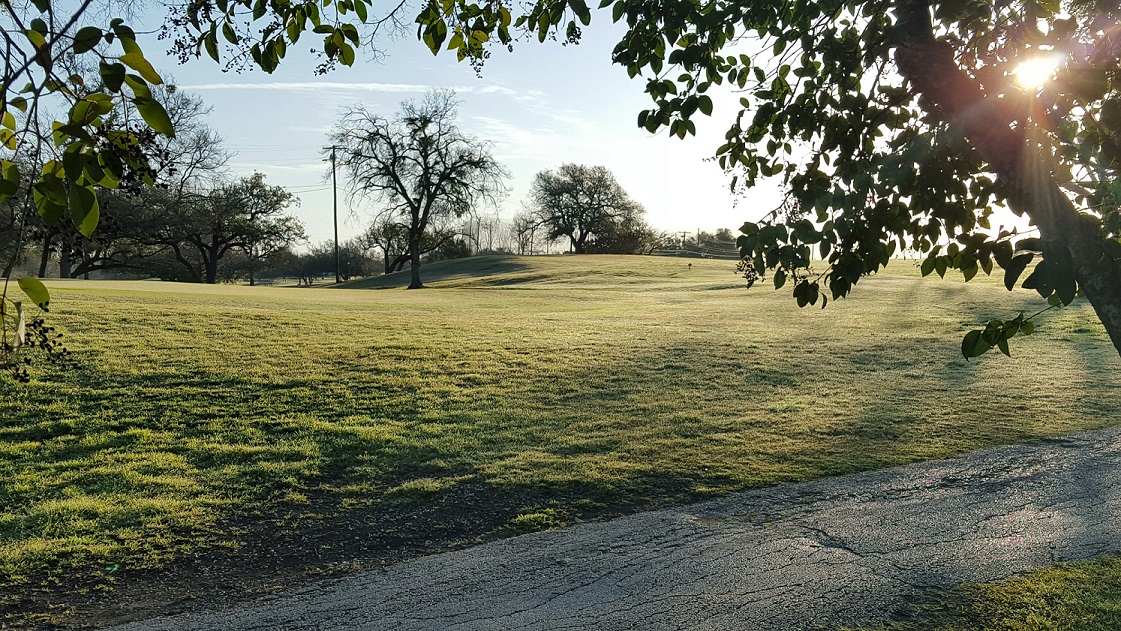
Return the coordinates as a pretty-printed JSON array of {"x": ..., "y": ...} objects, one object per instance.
[{"x": 433, "y": 183}]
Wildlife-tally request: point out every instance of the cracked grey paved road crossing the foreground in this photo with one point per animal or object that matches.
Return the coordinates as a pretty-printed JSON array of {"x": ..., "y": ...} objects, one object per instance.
[{"x": 800, "y": 556}]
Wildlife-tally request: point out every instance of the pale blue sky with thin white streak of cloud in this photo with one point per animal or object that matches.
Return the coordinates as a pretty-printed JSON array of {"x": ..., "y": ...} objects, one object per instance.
[{"x": 542, "y": 106}]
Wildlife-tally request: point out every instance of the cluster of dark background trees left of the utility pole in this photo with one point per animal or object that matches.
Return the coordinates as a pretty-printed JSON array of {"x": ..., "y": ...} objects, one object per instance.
[{"x": 188, "y": 219}]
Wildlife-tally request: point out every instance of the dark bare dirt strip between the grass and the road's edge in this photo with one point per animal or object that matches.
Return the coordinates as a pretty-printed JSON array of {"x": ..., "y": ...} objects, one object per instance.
[{"x": 290, "y": 548}]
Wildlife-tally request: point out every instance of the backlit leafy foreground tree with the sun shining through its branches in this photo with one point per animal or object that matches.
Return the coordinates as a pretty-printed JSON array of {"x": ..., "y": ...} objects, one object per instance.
[{"x": 911, "y": 126}]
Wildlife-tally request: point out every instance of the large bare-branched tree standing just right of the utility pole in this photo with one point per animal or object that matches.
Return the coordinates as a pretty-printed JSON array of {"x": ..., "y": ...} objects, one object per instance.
[{"x": 420, "y": 166}]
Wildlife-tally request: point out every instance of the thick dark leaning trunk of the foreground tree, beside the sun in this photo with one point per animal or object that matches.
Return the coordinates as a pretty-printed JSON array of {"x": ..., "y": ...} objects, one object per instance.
[{"x": 931, "y": 68}]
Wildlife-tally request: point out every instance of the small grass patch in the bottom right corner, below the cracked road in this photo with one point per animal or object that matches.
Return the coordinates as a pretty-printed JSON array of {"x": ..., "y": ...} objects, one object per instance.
[{"x": 1078, "y": 597}]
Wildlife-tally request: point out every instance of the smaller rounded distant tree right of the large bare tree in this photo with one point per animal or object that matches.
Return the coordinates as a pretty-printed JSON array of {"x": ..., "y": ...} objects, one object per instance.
[{"x": 580, "y": 202}]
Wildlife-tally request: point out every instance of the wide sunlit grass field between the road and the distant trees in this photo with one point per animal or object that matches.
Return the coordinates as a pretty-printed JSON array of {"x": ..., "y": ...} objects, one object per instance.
[{"x": 206, "y": 422}]
